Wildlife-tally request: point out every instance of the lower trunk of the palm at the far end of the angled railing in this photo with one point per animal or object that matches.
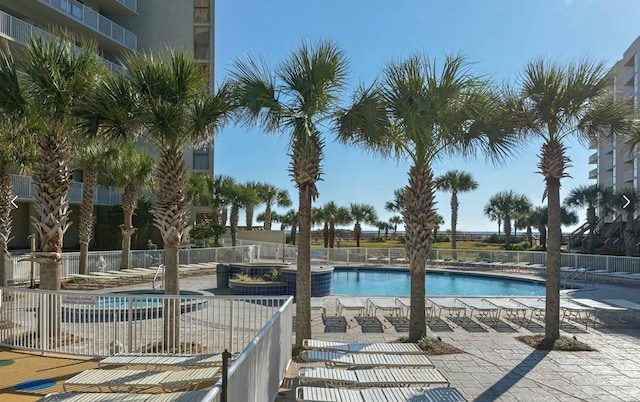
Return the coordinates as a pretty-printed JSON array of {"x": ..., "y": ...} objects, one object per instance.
[{"x": 303, "y": 272}]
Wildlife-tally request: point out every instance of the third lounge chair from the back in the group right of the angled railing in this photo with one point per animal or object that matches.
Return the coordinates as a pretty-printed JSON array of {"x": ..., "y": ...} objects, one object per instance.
[{"x": 395, "y": 377}]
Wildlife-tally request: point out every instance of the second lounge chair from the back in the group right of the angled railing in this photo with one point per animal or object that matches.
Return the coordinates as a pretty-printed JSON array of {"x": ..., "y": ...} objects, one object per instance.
[{"x": 361, "y": 360}]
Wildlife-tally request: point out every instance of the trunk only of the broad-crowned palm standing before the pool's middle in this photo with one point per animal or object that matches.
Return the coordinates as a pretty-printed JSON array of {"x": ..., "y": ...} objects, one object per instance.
[{"x": 419, "y": 217}]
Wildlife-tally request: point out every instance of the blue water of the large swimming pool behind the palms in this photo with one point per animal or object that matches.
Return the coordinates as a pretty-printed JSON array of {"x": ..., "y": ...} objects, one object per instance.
[{"x": 386, "y": 282}]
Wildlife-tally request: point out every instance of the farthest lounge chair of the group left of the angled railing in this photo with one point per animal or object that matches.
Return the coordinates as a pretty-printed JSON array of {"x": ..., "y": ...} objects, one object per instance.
[{"x": 161, "y": 359}]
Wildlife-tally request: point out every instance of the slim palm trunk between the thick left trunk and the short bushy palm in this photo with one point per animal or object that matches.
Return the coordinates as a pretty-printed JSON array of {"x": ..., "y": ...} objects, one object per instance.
[{"x": 86, "y": 220}]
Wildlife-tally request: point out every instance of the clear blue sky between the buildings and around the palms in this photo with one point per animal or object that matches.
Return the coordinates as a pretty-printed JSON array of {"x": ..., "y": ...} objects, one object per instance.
[{"x": 498, "y": 36}]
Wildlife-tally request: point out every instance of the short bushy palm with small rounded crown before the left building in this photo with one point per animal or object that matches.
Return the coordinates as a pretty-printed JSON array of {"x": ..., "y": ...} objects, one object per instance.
[{"x": 131, "y": 171}]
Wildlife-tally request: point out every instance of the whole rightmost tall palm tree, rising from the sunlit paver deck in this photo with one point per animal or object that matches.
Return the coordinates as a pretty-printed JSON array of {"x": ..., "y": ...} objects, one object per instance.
[{"x": 556, "y": 102}]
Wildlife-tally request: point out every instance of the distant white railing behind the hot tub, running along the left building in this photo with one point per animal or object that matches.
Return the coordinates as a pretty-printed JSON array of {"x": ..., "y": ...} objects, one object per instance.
[{"x": 21, "y": 267}]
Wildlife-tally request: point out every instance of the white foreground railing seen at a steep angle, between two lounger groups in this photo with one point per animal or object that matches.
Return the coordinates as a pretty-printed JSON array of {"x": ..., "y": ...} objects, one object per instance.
[{"x": 260, "y": 368}]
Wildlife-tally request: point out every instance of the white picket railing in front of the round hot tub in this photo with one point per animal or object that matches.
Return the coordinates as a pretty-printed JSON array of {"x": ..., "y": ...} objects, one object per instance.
[{"x": 101, "y": 324}]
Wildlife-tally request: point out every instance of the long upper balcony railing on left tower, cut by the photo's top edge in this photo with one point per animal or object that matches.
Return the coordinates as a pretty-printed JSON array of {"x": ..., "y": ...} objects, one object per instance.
[{"x": 96, "y": 21}]
